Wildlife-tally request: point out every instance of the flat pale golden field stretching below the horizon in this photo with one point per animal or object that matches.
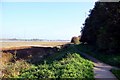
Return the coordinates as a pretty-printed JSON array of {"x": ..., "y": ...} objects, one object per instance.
[{"x": 28, "y": 43}]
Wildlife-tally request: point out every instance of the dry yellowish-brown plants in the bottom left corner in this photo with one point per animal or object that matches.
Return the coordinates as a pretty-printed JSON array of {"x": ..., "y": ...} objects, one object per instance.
[{"x": 12, "y": 69}]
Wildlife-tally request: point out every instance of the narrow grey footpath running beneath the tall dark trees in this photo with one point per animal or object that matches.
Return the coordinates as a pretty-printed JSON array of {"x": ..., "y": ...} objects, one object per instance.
[{"x": 101, "y": 70}]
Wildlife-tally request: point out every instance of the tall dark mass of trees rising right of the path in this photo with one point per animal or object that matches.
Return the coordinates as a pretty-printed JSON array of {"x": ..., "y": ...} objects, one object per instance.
[{"x": 102, "y": 27}]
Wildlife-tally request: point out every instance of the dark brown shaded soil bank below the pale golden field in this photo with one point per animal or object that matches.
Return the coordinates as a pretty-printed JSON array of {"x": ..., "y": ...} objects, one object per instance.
[{"x": 31, "y": 54}]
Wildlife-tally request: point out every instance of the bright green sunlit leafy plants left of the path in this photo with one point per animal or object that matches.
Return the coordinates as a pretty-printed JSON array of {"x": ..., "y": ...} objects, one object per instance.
[{"x": 73, "y": 66}]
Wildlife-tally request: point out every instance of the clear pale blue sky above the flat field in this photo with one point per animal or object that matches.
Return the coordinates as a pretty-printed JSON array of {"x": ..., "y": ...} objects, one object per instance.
[{"x": 43, "y": 20}]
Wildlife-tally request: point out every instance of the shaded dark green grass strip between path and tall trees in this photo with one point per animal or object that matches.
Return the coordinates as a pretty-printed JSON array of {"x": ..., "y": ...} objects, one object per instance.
[{"x": 111, "y": 59}]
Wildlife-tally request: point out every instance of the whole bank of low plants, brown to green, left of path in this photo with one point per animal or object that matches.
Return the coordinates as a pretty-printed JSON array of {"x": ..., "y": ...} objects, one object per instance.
[{"x": 66, "y": 63}]
